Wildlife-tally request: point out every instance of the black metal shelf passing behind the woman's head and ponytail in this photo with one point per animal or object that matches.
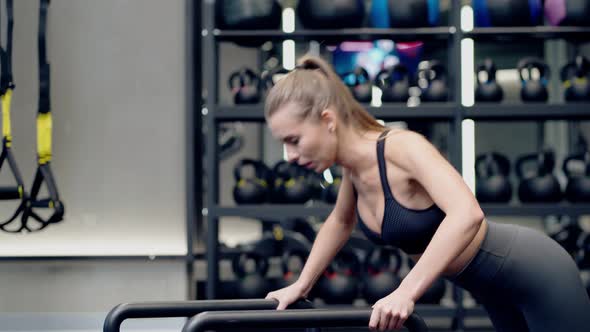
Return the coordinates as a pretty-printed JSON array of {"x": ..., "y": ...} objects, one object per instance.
[{"x": 389, "y": 111}]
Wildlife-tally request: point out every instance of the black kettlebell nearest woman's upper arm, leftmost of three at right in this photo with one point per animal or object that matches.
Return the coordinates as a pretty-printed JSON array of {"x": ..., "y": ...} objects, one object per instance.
[{"x": 492, "y": 183}]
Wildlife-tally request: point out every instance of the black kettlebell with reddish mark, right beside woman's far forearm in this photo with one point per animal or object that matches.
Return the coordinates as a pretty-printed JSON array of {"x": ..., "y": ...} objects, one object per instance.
[{"x": 339, "y": 282}]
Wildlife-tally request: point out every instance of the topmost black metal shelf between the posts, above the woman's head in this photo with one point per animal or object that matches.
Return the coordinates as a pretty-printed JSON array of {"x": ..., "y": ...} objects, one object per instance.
[{"x": 440, "y": 33}]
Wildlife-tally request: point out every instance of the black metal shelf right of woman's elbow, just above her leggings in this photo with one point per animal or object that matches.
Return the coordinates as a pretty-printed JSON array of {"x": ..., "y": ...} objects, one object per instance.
[{"x": 537, "y": 209}]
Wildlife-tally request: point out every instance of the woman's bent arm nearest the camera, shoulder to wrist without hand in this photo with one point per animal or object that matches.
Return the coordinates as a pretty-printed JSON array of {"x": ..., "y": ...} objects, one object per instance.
[{"x": 416, "y": 155}]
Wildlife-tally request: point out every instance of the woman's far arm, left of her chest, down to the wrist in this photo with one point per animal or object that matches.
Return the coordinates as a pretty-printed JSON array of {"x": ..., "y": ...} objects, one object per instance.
[{"x": 332, "y": 236}]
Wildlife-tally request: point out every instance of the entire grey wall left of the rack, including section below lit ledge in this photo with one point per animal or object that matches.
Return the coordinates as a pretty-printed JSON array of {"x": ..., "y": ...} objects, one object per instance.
[{"x": 119, "y": 103}]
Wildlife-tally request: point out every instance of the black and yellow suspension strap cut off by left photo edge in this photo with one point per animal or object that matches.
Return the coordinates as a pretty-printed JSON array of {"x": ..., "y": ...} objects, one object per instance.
[{"x": 6, "y": 88}]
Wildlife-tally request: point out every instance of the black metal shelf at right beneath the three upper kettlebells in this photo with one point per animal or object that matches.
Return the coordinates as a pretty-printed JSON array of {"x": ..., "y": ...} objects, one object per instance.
[{"x": 523, "y": 112}]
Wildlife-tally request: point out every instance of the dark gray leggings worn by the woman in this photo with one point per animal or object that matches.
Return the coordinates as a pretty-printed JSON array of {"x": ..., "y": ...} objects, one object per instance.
[{"x": 526, "y": 282}]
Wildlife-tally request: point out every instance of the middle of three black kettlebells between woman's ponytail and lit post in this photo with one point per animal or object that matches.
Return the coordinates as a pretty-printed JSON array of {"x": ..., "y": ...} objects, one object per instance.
[{"x": 394, "y": 83}]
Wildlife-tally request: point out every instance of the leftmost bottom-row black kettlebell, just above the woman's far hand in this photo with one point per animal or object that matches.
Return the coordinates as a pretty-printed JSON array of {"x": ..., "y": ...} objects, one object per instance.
[{"x": 250, "y": 269}]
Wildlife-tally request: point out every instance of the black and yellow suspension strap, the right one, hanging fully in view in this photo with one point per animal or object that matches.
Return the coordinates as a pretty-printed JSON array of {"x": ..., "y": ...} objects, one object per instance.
[{"x": 44, "y": 126}]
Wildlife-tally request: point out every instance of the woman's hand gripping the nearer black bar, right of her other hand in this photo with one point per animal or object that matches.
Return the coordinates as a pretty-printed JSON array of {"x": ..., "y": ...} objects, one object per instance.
[{"x": 391, "y": 312}]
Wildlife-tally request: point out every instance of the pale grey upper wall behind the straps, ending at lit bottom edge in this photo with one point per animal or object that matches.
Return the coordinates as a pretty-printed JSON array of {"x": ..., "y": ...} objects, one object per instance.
[{"x": 118, "y": 102}]
